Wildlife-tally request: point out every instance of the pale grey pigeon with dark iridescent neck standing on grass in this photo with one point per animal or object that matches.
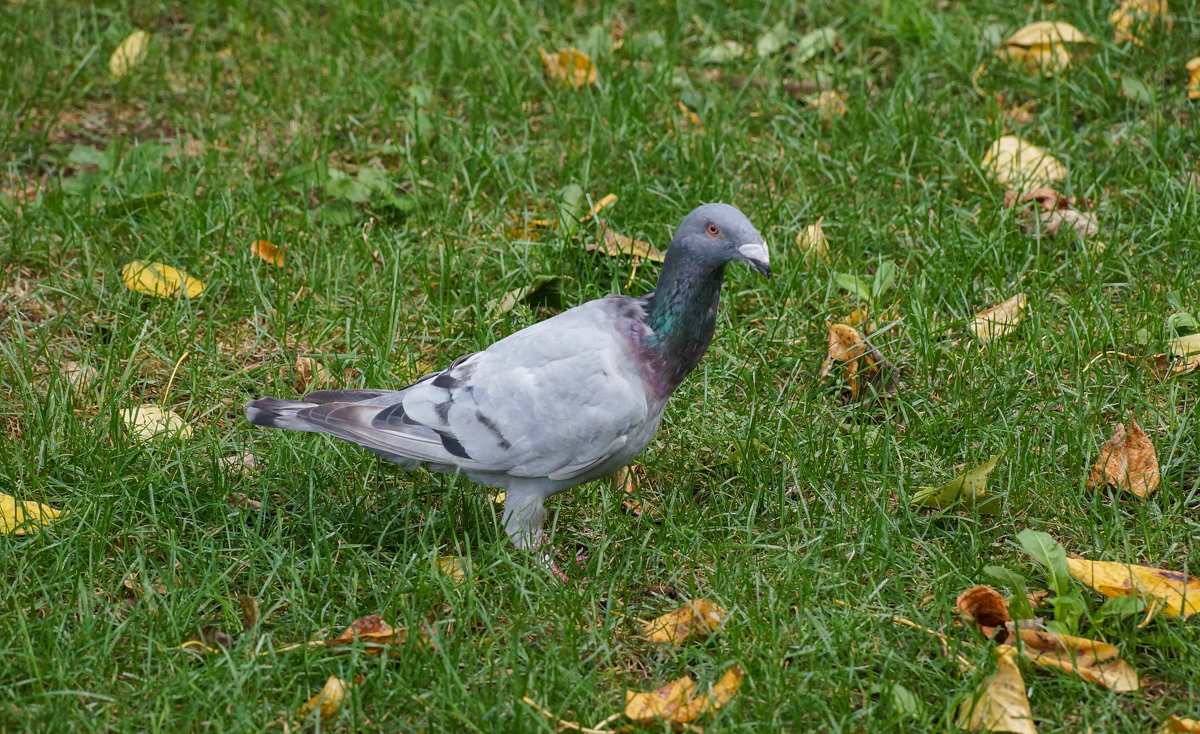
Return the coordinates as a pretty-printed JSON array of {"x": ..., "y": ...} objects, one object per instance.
[{"x": 567, "y": 401}]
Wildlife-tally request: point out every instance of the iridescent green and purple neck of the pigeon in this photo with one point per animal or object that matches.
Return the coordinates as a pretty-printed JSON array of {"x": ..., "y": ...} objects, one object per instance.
[{"x": 683, "y": 318}]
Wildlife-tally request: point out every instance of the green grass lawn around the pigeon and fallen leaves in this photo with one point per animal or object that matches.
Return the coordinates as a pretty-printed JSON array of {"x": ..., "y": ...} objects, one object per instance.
[{"x": 776, "y": 497}]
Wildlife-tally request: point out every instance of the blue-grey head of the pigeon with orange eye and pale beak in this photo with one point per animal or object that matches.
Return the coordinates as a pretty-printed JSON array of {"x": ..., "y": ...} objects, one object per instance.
[{"x": 718, "y": 234}]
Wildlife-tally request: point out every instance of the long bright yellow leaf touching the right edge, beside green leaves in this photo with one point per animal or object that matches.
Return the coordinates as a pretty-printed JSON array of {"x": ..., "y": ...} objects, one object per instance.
[{"x": 1177, "y": 593}]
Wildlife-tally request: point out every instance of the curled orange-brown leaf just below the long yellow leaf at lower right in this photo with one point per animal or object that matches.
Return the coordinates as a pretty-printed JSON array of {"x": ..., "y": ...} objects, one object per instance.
[{"x": 1091, "y": 660}]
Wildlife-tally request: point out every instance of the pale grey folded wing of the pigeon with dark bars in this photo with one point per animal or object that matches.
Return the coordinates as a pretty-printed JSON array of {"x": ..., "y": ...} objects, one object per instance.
[{"x": 557, "y": 400}]
